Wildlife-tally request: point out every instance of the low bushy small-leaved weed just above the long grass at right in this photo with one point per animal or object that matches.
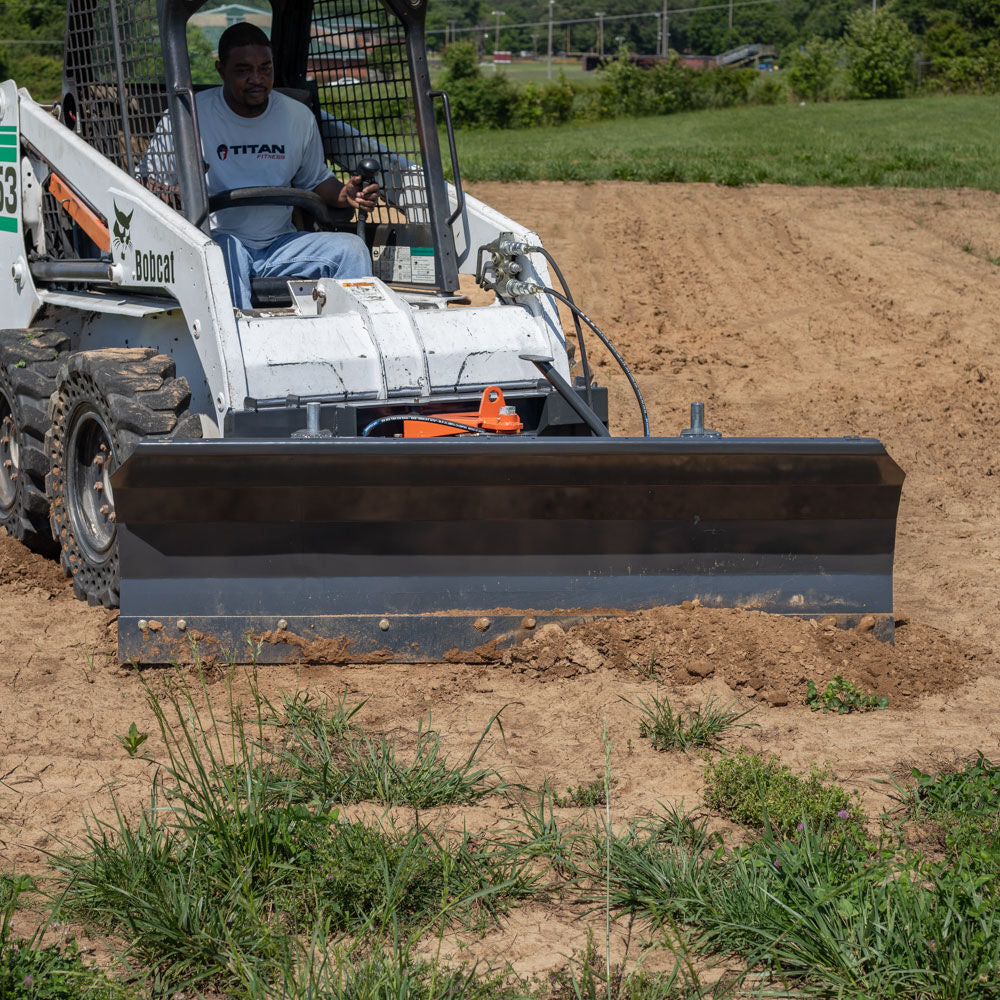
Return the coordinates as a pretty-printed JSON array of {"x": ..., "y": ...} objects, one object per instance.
[{"x": 758, "y": 792}]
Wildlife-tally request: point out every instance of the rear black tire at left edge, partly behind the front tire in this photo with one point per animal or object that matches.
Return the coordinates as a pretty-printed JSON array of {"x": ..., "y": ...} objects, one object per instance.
[{"x": 29, "y": 368}]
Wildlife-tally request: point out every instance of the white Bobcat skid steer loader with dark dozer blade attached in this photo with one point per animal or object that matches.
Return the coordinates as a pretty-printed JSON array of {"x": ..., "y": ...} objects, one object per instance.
[{"x": 371, "y": 469}]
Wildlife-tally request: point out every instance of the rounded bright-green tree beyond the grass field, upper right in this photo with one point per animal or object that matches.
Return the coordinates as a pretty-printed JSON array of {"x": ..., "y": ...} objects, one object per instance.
[{"x": 880, "y": 51}]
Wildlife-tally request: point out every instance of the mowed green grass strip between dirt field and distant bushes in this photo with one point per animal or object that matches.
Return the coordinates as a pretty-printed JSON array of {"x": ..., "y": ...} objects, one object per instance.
[{"x": 921, "y": 142}]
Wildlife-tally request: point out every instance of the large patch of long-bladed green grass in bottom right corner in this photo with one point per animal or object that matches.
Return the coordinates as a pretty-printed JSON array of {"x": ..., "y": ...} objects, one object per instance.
[{"x": 813, "y": 914}]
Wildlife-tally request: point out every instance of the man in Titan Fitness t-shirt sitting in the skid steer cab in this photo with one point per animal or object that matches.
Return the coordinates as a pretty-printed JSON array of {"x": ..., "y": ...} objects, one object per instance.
[{"x": 252, "y": 136}]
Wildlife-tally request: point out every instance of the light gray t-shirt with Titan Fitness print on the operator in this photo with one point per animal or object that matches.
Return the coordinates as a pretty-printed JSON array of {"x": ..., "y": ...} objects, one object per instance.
[{"x": 279, "y": 148}]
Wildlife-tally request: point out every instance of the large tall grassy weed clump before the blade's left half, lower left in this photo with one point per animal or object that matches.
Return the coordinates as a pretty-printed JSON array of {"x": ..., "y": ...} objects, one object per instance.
[{"x": 239, "y": 849}]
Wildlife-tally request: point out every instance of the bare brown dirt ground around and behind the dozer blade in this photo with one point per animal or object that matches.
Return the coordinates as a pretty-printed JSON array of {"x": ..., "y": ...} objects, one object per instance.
[{"x": 788, "y": 312}]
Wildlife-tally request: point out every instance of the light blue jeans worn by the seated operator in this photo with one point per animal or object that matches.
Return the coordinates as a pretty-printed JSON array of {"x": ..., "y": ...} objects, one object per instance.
[{"x": 294, "y": 255}]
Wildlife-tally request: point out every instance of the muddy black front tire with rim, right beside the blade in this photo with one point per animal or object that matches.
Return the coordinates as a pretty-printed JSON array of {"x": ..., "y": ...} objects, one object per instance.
[{"x": 106, "y": 402}]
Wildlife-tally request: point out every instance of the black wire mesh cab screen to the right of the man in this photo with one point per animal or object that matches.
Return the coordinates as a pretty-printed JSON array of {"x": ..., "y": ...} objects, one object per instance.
[{"x": 358, "y": 60}]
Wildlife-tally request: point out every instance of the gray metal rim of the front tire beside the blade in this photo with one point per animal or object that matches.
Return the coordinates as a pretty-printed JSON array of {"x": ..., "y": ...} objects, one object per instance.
[{"x": 90, "y": 462}]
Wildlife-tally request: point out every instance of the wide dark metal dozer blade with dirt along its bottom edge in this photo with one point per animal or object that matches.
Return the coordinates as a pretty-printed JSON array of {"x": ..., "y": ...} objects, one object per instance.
[{"x": 388, "y": 549}]
